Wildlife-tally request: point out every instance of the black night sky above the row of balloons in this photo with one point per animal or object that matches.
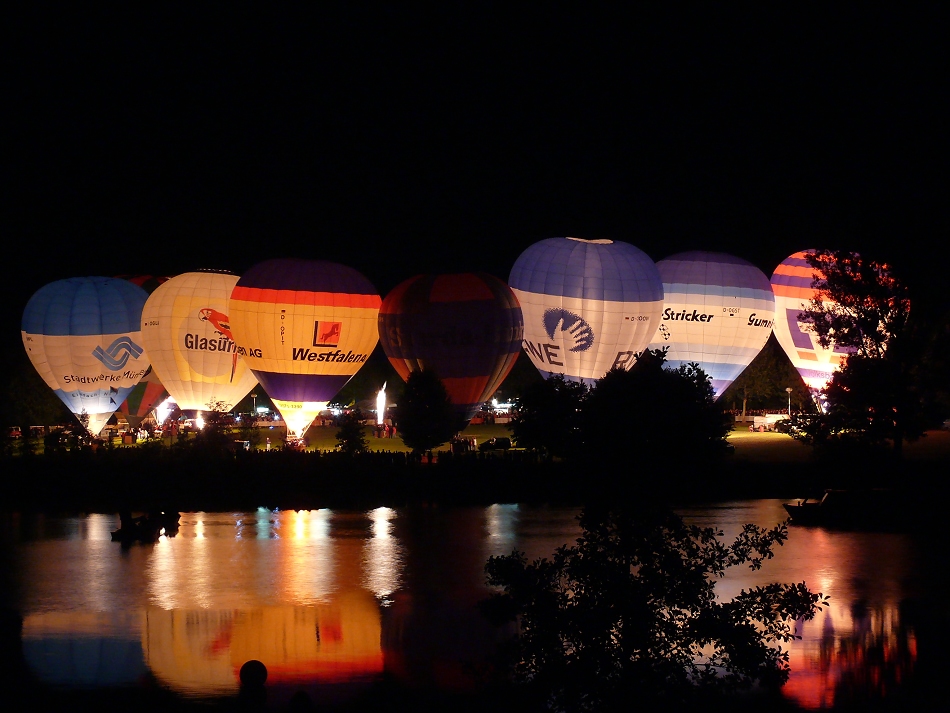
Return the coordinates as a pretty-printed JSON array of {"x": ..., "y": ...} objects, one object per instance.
[{"x": 450, "y": 138}]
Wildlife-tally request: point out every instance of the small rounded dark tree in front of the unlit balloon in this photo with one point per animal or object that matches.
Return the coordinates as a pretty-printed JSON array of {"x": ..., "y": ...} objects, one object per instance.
[{"x": 424, "y": 415}]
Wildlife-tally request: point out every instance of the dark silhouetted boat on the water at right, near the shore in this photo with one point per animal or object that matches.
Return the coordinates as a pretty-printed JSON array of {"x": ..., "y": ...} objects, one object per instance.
[{"x": 873, "y": 508}]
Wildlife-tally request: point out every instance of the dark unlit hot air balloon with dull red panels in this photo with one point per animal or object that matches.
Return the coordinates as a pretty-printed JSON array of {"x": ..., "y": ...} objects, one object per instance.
[{"x": 467, "y": 328}]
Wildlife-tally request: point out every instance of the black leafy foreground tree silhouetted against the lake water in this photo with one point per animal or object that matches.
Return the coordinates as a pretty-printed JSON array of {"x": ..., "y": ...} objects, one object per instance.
[{"x": 629, "y": 613}]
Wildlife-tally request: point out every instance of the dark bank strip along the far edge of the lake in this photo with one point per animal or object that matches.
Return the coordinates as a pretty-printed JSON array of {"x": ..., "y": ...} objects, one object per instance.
[{"x": 190, "y": 479}]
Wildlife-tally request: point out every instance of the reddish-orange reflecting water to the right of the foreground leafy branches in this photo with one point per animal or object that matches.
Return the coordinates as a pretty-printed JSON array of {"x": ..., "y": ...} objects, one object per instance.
[{"x": 858, "y": 649}]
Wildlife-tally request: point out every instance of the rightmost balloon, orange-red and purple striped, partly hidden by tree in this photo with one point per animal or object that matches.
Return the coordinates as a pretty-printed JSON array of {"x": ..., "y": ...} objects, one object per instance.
[{"x": 791, "y": 283}]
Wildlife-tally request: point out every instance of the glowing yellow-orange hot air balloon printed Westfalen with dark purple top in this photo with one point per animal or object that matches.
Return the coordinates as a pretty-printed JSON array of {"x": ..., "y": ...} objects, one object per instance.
[{"x": 305, "y": 327}]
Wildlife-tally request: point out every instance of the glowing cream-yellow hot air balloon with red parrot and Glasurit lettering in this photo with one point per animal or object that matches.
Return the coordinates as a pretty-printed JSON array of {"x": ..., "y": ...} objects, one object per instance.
[{"x": 187, "y": 336}]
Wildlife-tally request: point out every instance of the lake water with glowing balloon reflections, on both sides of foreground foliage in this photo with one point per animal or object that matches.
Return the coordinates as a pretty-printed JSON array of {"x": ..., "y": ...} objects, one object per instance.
[{"x": 331, "y": 600}]
